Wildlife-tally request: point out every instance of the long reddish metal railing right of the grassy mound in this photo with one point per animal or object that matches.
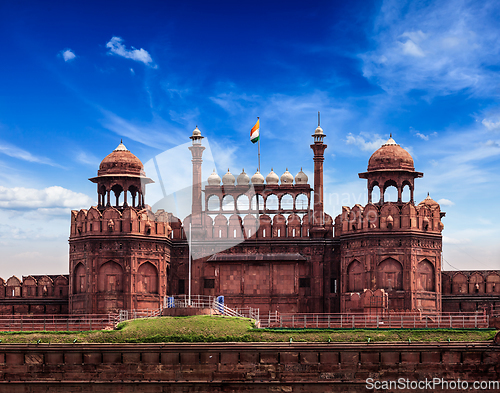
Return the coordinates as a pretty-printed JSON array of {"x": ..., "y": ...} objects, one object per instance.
[{"x": 391, "y": 320}]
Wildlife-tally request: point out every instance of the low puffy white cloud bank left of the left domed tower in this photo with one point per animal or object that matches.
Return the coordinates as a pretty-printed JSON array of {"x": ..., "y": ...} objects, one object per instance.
[{"x": 54, "y": 197}]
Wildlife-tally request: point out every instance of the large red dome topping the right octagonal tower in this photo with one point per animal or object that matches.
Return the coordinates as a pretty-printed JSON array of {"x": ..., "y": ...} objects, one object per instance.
[{"x": 391, "y": 156}]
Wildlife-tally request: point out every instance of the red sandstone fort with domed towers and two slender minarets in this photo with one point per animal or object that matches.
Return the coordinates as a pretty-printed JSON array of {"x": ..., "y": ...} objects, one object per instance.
[{"x": 258, "y": 241}]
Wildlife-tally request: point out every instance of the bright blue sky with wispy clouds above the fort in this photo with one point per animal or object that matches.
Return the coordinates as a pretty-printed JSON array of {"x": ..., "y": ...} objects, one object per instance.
[{"x": 76, "y": 77}]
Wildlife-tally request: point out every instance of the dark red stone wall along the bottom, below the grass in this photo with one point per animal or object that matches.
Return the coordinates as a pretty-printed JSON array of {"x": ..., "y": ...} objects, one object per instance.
[{"x": 241, "y": 367}]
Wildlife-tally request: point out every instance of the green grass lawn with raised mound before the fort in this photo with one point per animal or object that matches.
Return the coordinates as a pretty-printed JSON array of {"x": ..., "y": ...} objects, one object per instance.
[{"x": 226, "y": 329}]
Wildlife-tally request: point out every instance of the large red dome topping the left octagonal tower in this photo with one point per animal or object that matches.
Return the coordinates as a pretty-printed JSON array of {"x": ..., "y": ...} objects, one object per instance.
[{"x": 121, "y": 162}]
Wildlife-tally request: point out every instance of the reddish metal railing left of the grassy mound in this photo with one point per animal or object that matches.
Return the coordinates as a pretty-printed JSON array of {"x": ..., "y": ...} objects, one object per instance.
[{"x": 57, "y": 322}]
